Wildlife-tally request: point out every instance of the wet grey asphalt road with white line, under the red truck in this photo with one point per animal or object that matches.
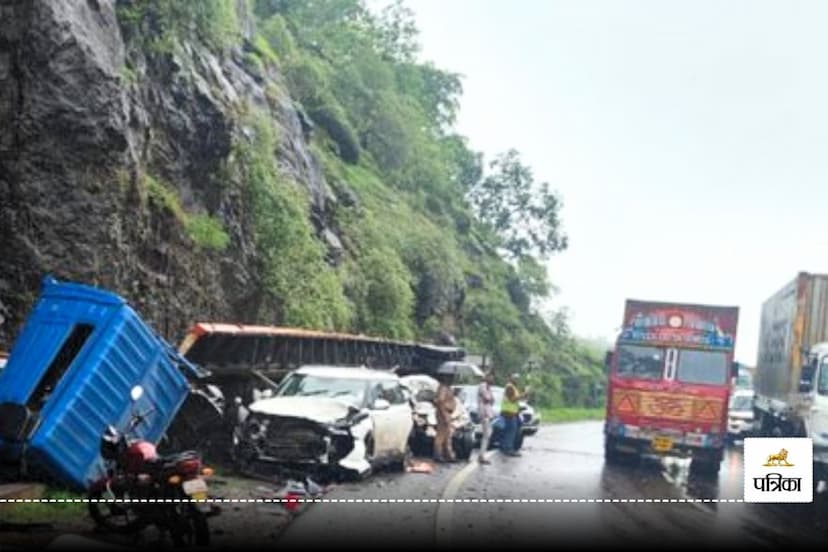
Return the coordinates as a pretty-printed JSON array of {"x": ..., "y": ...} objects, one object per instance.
[{"x": 561, "y": 462}]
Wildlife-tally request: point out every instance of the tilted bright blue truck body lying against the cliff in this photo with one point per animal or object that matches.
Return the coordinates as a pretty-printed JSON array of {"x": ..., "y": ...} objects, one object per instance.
[{"x": 70, "y": 373}]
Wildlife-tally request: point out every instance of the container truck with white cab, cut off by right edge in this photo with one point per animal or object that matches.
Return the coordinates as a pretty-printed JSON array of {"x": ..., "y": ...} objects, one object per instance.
[{"x": 791, "y": 380}]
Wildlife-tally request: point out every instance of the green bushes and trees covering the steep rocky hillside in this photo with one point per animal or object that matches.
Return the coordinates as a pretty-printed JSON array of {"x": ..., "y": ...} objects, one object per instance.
[{"x": 435, "y": 240}]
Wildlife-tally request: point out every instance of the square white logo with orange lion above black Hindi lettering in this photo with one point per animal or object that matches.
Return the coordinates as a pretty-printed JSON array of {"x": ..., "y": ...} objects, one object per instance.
[{"x": 784, "y": 476}]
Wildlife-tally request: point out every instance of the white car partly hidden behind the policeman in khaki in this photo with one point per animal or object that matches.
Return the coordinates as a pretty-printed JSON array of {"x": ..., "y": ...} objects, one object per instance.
[{"x": 422, "y": 390}]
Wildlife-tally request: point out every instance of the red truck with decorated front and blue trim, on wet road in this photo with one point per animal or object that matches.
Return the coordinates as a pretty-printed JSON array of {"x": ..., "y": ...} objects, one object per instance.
[{"x": 669, "y": 383}]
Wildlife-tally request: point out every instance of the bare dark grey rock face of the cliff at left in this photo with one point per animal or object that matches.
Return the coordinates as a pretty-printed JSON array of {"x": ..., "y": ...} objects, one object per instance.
[{"x": 85, "y": 118}]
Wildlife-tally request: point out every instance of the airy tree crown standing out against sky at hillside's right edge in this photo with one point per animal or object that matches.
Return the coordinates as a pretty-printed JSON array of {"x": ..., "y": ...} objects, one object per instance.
[{"x": 522, "y": 214}]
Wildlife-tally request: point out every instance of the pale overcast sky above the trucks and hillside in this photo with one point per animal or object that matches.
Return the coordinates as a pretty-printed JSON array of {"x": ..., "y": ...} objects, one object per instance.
[{"x": 687, "y": 140}]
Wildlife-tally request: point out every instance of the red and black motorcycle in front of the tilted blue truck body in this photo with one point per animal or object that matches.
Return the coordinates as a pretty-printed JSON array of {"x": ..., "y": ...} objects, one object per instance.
[{"x": 143, "y": 488}]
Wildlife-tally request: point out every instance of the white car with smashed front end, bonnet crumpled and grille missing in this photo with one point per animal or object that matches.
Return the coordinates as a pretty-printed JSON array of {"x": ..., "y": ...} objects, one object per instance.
[{"x": 328, "y": 417}]
